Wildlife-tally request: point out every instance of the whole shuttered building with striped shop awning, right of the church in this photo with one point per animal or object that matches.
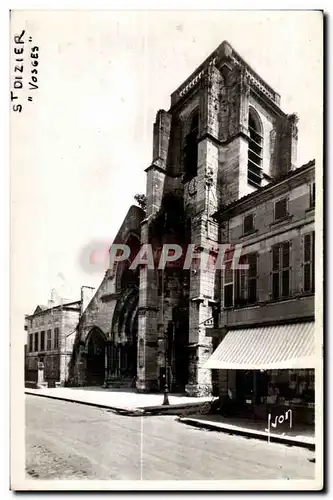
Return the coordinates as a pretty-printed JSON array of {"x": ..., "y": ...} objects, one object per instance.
[{"x": 265, "y": 337}]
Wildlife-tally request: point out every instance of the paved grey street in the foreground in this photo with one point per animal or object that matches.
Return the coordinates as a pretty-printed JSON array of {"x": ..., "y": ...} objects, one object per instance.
[{"x": 72, "y": 441}]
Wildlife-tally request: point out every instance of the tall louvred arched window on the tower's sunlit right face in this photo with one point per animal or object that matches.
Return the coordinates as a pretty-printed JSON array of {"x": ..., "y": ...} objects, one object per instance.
[{"x": 254, "y": 164}]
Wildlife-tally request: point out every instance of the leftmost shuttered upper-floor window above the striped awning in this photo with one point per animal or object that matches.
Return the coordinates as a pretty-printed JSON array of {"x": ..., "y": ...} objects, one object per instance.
[{"x": 246, "y": 281}]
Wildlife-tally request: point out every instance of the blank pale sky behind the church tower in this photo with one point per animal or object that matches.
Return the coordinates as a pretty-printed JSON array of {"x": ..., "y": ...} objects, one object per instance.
[{"x": 80, "y": 147}]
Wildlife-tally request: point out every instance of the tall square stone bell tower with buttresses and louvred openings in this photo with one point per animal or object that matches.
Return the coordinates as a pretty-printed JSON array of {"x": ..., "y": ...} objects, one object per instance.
[{"x": 223, "y": 137}]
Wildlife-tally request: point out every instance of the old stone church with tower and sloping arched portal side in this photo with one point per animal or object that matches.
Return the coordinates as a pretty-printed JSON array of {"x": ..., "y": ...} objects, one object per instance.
[{"x": 223, "y": 139}]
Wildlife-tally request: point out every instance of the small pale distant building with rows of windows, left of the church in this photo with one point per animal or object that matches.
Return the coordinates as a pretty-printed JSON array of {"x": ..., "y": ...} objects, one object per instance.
[{"x": 50, "y": 336}]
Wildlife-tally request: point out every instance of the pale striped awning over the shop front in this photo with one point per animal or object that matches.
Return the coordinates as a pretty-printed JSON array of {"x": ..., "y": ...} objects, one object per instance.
[{"x": 266, "y": 348}]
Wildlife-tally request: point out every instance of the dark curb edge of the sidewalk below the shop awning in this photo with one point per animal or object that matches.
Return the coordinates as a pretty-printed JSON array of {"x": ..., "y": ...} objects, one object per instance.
[{"x": 247, "y": 433}]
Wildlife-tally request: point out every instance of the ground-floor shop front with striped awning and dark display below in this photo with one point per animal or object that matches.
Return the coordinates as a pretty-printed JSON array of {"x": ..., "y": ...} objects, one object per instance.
[{"x": 270, "y": 370}]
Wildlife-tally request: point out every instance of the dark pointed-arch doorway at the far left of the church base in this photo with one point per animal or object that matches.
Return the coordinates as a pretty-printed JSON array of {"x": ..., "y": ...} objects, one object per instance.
[{"x": 96, "y": 358}]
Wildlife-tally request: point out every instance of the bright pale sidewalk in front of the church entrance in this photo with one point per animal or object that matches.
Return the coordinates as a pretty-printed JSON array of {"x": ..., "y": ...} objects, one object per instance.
[{"x": 122, "y": 400}]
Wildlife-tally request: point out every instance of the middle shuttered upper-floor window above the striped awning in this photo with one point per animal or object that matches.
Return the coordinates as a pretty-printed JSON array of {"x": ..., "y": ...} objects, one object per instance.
[{"x": 281, "y": 270}]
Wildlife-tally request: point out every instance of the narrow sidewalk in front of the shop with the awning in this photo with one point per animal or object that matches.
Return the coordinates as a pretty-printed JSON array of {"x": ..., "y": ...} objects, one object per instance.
[{"x": 297, "y": 436}]
